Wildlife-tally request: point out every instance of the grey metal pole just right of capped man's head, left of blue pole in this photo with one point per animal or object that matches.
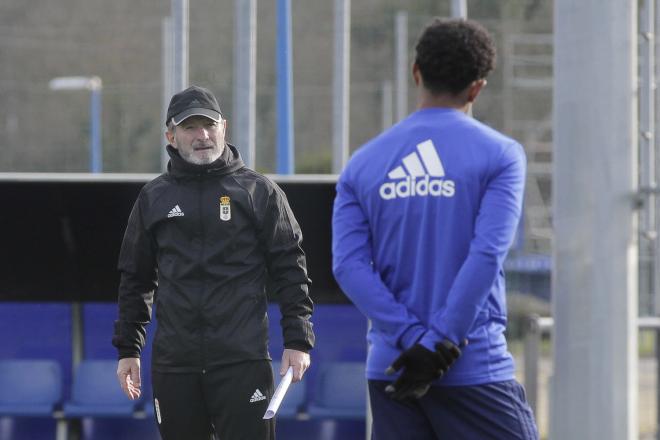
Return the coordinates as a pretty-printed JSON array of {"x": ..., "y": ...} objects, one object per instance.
[{"x": 245, "y": 78}]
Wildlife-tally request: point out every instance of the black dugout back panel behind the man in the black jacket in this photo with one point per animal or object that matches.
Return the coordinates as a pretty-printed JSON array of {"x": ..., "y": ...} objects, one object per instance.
[{"x": 62, "y": 238}]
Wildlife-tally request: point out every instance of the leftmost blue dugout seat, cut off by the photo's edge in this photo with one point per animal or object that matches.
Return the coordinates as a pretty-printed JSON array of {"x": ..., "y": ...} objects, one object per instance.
[{"x": 29, "y": 387}]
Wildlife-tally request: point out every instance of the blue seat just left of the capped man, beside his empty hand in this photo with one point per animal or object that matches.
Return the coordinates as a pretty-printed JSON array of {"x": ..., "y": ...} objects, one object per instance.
[{"x": 96, "y": 392}]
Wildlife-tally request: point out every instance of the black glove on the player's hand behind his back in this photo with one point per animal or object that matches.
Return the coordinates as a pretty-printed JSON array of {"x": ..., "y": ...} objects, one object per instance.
[{"x": 421, "y": 367}]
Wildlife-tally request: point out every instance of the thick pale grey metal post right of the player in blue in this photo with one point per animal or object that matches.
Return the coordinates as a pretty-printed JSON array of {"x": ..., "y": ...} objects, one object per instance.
[{"x": 595, "y": 274}]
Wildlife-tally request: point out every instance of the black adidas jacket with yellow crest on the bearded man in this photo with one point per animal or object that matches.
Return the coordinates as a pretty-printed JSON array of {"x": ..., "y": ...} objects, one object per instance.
[{"x": 207, "y": 239}]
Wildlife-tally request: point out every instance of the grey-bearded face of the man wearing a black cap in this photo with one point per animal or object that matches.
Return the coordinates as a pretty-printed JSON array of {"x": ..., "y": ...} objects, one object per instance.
[{"x": 200, "y": 140}]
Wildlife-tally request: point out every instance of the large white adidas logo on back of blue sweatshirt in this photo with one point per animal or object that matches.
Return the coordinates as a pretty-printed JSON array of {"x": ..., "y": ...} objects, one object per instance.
[{"x": 421, "y": 175}]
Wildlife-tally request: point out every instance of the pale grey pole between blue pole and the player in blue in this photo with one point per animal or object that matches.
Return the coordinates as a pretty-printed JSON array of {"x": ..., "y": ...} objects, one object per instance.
[{"x": 341, "y": 85}]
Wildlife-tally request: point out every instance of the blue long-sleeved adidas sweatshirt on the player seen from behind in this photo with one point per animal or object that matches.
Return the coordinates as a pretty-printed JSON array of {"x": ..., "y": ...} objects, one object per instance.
[{"x": 422, "y": 221}]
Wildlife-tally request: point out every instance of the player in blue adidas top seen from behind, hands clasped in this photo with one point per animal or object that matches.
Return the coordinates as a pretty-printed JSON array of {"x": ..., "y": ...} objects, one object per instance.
[{"x": 424, "y": 216}]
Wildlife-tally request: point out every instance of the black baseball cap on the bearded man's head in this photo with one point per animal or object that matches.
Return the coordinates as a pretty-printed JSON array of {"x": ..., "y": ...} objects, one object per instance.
[{"x": 194, "y": 101}]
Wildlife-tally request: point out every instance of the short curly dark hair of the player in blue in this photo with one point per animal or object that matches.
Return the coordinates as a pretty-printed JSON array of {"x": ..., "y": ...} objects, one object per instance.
[{"x": 452, "y": 53}]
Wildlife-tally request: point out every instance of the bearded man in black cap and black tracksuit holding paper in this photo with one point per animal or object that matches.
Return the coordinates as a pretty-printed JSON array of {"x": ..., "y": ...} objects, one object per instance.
[{"x": 202, "y": 240}]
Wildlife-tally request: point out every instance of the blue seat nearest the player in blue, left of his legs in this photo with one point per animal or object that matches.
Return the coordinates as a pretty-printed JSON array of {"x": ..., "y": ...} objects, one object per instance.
[{"x": 341, "y": 391}]
